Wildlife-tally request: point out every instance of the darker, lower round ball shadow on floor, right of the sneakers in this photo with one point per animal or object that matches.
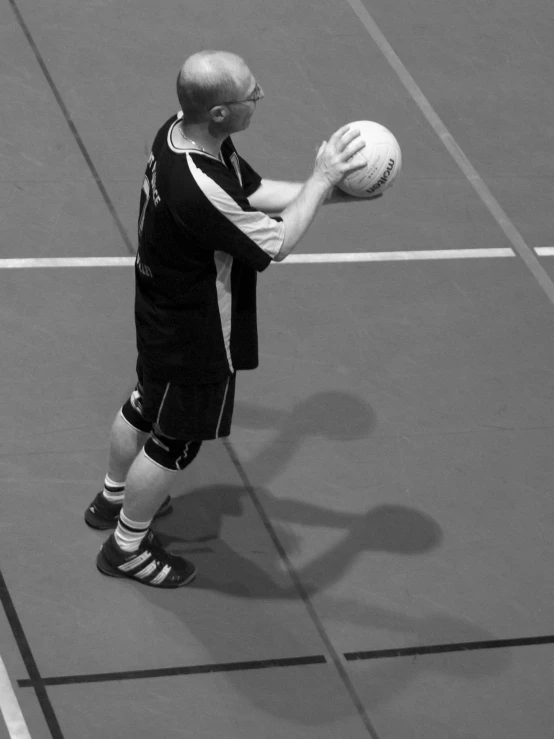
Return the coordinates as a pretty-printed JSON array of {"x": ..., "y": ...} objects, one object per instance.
[{"x": 398, "y": 529}]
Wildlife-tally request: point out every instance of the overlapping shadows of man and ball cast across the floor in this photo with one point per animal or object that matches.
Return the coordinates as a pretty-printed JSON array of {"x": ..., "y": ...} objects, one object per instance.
[{"x": 263, "y": 575}]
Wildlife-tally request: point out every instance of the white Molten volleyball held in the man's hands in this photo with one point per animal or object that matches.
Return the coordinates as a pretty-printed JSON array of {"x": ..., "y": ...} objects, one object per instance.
[{"x": 383, "y": 161}]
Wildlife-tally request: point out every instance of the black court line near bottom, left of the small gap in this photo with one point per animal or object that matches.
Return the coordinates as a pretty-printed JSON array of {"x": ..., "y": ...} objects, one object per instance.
[{"x": 173, "y": 671}]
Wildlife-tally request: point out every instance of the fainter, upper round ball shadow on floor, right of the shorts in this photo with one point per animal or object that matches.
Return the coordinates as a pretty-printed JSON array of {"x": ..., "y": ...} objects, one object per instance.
[{"x": 334, "y": 415}]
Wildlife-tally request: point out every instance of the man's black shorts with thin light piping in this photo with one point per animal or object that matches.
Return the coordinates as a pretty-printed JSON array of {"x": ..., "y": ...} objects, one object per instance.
[{"x": 191, "y": 412}]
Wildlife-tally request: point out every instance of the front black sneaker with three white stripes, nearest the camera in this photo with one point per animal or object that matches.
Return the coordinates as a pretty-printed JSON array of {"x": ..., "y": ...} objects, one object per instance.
[{"x": 150, "y": 564}]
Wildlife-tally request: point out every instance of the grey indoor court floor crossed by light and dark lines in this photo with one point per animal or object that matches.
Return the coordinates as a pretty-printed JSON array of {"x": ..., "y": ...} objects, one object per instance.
[{"x": 374, "y": 541}]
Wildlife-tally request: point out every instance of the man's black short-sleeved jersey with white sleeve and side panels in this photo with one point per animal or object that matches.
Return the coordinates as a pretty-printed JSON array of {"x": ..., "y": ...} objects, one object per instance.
[{"x": 200, "y": 247}]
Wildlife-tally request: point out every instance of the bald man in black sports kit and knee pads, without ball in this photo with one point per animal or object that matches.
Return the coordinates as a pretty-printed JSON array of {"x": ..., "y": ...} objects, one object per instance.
[{"x": 204, "y": 230}]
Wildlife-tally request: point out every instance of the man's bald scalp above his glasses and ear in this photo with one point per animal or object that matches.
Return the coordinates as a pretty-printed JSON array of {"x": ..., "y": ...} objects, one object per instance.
[{"x": 206, "y": 79}]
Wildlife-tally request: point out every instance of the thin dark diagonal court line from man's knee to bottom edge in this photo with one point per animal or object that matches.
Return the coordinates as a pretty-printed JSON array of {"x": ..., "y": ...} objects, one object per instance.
[{"x": 302, "y": 592}]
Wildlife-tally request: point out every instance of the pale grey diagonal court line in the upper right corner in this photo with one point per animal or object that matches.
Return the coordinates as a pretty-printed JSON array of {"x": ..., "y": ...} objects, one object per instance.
[{"x": 492, "y": 205}]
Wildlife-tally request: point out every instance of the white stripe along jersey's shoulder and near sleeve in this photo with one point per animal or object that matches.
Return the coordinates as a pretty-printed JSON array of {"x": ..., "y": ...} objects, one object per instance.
[{"x": 264, "y": 231}]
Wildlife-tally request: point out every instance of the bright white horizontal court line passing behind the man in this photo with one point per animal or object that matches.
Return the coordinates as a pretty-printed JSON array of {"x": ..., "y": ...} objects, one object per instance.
[{"x": 332, "y": 258}]
